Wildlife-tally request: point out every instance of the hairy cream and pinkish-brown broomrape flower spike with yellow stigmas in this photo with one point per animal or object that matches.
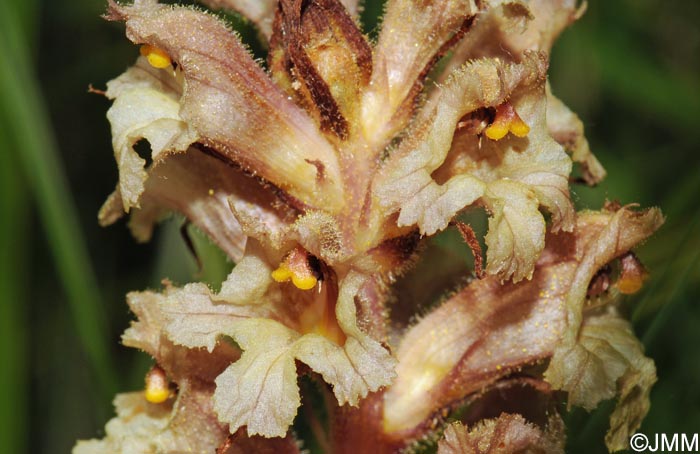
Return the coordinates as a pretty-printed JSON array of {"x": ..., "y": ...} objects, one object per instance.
[{"x": 322, "y": 173}]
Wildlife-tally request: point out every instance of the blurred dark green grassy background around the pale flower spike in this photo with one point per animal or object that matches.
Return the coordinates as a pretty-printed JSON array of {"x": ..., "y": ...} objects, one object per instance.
[{"x": 630, "y": 68}]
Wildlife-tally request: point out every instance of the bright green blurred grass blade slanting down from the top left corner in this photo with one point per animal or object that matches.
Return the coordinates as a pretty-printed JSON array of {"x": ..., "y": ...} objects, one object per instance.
[{"x": 27, "y": 120}]
